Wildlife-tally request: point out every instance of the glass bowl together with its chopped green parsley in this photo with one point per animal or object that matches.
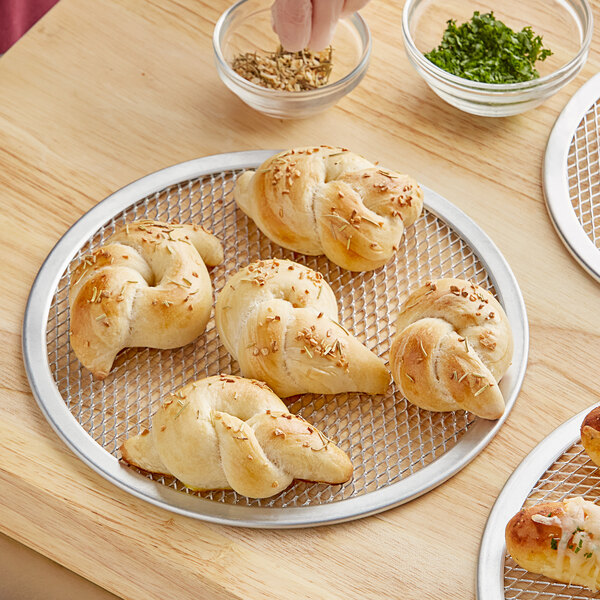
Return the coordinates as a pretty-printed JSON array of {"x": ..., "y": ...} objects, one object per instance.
[{"x": 497, "y": 59}]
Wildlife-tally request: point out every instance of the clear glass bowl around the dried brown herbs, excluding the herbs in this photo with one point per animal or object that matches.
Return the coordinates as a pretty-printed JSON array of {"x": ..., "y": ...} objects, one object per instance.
[{"x": 246, "y": 27}]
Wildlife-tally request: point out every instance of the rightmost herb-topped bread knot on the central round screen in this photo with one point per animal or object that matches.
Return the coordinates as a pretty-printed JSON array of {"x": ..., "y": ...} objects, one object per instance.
[{"x": 453, "y": 343}]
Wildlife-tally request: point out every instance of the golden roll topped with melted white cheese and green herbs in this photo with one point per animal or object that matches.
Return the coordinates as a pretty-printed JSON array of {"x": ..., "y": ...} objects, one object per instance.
[{"x": 560, "y": 540}]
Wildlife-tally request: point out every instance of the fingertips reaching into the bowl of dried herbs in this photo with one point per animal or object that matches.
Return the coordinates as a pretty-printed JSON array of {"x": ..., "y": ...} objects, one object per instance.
[{"x": 309, "y": 23}]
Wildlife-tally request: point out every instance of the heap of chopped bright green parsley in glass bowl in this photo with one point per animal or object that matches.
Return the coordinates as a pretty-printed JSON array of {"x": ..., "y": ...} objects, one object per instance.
[{"x": 485, "y": 49}]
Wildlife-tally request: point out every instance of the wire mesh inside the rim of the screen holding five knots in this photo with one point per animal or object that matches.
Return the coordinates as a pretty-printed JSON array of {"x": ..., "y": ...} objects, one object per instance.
[{"x": 387, "y": 438}]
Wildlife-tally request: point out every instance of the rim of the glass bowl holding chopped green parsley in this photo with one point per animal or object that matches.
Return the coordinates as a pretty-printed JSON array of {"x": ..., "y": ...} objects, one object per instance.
[{"x": 497, "y": 88}]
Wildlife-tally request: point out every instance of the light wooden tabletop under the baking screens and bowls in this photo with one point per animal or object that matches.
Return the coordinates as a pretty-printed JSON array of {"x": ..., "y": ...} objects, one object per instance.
[{"x": 99, "y": 94}]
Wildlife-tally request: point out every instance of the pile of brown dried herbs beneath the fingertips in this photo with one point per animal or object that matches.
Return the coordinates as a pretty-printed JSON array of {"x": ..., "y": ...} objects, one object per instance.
[{"x": 287, "y": 71}]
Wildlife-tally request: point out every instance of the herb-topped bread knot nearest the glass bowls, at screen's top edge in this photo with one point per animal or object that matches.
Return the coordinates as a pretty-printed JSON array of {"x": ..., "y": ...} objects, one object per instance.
[{"x": 331, "y": 201}]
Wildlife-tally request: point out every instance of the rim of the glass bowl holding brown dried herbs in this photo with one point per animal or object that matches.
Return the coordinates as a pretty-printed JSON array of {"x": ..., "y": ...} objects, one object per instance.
[{"x": 324, "y": 90}]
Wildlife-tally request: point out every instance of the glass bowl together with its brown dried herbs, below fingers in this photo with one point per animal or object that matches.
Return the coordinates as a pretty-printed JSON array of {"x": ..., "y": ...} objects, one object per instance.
[{"x": 282, "y": 84}]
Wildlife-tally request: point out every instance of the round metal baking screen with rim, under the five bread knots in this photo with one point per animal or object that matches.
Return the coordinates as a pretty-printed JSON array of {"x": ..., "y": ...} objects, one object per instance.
[{"x": 398, "y": 450}]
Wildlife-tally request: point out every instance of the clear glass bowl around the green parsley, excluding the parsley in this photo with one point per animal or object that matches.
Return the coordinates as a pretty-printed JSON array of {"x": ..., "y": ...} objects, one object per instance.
[{"x": 565, "y": 25}]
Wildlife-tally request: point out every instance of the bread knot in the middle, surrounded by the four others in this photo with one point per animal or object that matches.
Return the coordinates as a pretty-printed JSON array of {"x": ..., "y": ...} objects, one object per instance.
[{"x": 279, "y": 321}]
